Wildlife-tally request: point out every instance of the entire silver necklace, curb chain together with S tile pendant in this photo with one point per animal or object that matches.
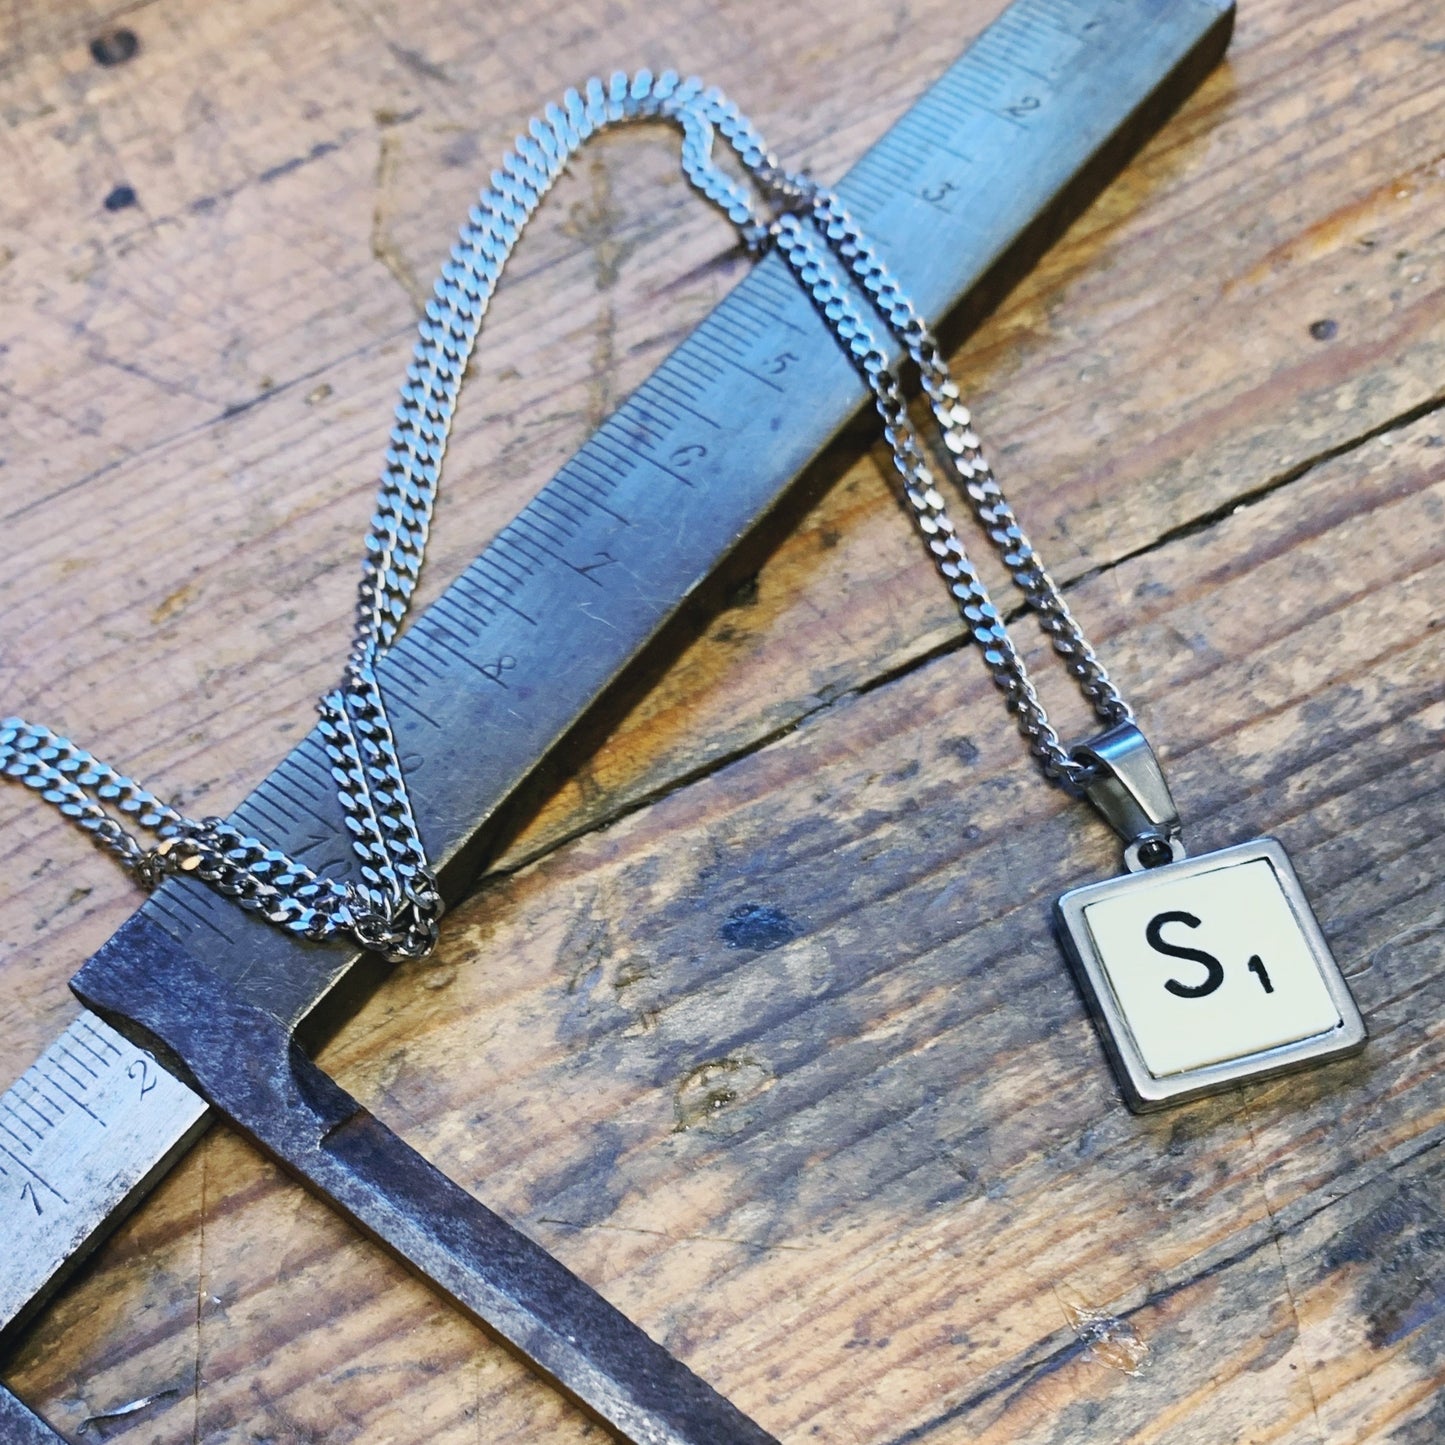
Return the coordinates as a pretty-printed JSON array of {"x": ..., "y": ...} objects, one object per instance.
[{"x": 1241, "y": 986}]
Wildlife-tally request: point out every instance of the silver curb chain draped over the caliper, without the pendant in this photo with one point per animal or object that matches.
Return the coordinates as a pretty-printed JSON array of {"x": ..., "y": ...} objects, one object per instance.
[{"x": 395, "y": 907}]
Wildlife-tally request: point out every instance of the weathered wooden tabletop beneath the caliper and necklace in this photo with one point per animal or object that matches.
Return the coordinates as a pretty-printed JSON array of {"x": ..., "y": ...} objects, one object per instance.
[{"x": 759, "y": 1024}]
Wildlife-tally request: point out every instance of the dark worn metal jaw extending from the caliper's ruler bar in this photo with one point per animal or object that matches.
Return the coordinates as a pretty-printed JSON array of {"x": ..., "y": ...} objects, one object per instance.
[{"x": 251, "y": 1070}]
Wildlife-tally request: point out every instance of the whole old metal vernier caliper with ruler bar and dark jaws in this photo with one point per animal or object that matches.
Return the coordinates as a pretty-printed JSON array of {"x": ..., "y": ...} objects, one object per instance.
[{"x": 962, "y": 197}]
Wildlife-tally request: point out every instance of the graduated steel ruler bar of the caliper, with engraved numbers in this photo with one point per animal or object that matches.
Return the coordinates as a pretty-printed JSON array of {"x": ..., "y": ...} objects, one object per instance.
[{"x": 960, "y": 196}]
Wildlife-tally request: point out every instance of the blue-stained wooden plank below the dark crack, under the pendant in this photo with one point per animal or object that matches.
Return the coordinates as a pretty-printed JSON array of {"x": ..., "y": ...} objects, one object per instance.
[{"x": 788, "y": 1064}]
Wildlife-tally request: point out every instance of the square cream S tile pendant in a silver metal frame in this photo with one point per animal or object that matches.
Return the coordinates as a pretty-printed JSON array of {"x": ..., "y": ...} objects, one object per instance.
[{"x": 1207, "y": 973}]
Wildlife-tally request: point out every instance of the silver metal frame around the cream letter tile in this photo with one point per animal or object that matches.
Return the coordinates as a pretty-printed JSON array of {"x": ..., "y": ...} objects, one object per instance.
[{"x": 1145, "y": 1092}]
